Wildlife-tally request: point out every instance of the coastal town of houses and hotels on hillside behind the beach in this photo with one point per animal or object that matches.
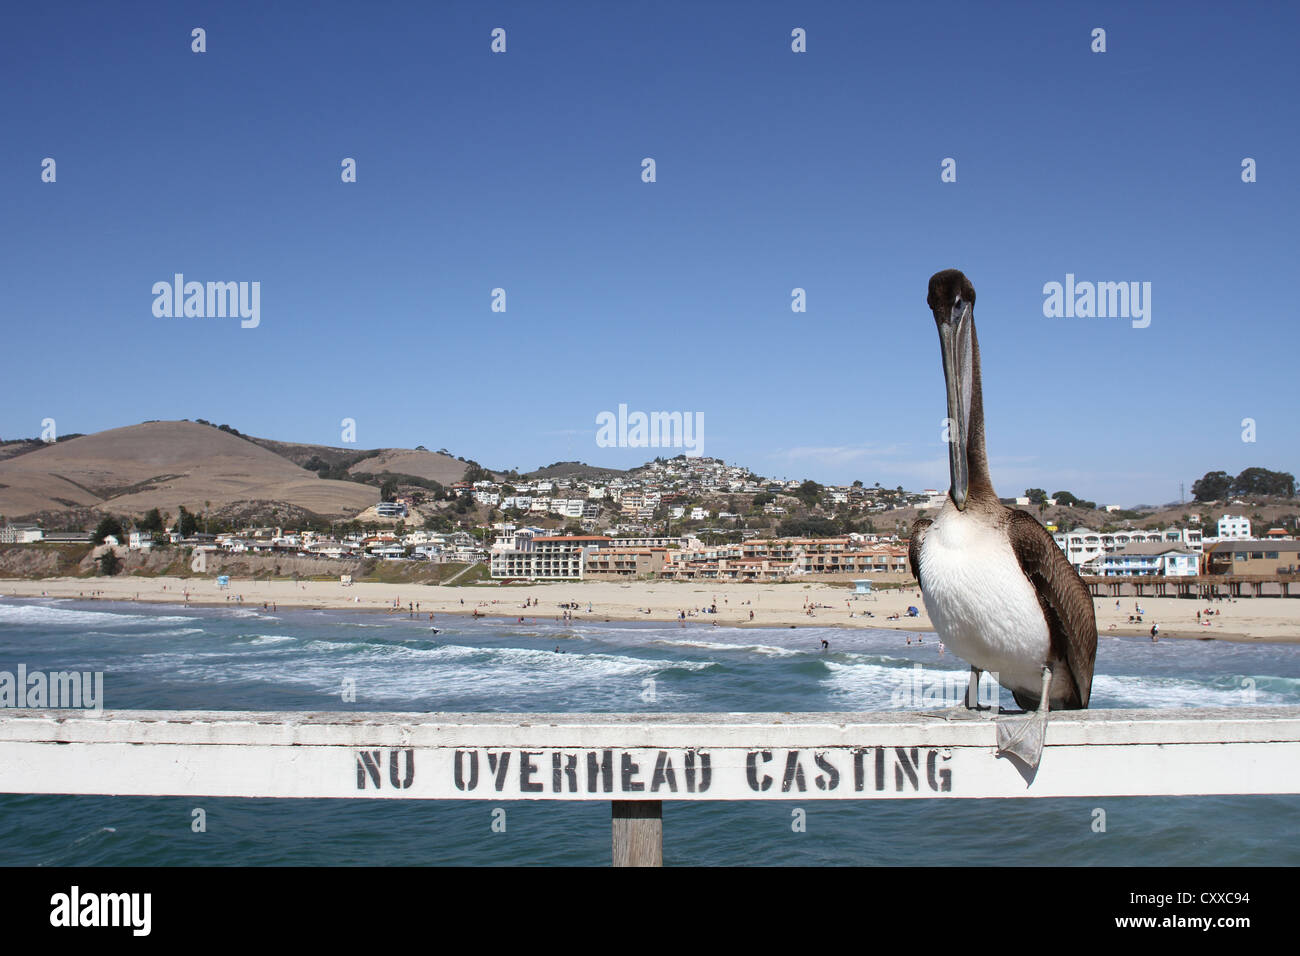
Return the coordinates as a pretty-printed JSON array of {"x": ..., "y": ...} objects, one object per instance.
[{"x": 696, "y": 520}]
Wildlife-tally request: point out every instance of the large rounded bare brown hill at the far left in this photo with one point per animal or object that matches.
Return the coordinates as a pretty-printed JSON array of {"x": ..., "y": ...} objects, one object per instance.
[{"x": 166, "y": 465}]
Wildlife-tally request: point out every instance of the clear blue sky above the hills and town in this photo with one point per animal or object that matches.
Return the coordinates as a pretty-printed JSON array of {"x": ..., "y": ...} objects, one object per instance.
[{"x": 523, "y": 171}]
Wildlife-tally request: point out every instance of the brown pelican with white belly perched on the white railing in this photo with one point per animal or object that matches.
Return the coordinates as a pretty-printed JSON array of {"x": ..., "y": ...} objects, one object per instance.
[{"x": 1000, "y": 592}]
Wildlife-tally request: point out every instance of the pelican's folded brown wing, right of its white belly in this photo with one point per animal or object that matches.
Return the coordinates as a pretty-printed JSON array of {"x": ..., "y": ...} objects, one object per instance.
[{"x": 1065, "y": 600}]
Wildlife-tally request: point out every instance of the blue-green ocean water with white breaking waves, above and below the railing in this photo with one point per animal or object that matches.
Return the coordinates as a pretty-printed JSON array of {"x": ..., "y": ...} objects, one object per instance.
[{"x": 245, "y": 659}]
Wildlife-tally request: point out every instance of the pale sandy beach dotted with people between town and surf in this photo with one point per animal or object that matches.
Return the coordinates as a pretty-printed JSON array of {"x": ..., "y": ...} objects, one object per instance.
[{"x": 749, "y": 605}]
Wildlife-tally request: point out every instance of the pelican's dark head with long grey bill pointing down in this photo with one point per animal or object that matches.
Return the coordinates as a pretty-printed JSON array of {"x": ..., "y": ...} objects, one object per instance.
[{"x": 952, "y": 300}]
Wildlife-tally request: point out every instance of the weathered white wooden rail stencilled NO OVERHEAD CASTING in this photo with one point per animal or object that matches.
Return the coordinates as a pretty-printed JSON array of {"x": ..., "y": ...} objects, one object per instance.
[{"x": 838, "y": 755}]
